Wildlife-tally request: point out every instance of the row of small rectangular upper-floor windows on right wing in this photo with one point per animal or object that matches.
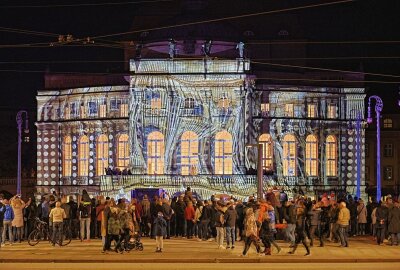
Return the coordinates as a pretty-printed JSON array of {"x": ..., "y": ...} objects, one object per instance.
[{"x": 291, "y": 110}]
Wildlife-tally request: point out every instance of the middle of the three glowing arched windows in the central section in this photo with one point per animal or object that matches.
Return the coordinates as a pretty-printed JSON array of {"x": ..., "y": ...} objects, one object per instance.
[{"x": 189, "y": 153}]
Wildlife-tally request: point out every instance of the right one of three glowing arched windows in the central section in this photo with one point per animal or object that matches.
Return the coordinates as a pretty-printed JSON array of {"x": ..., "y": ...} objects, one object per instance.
[{"x": 223, "y": 153}]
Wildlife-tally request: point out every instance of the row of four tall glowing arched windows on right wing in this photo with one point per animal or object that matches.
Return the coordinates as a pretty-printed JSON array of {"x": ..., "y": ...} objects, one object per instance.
[{"x": 289, "y": 144}]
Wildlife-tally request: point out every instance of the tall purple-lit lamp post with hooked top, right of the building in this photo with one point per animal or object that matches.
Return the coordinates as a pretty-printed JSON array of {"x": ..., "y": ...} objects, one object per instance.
[{"x": 378, "y": 110}]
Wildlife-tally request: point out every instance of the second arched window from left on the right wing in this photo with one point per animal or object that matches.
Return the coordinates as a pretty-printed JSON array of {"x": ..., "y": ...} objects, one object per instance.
[{"x": 289, "y": 155}]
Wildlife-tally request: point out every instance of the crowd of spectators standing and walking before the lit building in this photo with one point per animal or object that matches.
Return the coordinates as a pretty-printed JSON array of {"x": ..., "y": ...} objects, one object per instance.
[{"x": 258, "y": 222}]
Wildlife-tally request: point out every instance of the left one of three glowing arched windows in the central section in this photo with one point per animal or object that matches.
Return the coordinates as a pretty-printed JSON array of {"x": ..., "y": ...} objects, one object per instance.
[{"x": 155, "y": 153}]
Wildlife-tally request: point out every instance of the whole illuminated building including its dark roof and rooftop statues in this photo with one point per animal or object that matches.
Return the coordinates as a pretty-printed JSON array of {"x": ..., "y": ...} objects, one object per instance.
[{"x": 192, "y": 101}]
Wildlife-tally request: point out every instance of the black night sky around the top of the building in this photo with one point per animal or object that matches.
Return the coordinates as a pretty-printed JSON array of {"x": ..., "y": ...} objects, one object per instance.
[{"x": 22, "y": 69}]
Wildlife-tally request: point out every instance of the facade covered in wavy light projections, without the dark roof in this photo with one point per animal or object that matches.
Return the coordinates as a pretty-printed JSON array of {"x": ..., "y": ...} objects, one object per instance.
[{"x": 187, "y": 122}]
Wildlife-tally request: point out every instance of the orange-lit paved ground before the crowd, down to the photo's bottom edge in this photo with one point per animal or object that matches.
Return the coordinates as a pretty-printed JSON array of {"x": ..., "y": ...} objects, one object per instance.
[{"x": 200, "y": 255}]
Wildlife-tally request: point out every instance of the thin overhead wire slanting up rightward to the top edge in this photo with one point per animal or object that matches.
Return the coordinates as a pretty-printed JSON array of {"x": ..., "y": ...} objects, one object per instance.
[{"x": 226, "y": 18}]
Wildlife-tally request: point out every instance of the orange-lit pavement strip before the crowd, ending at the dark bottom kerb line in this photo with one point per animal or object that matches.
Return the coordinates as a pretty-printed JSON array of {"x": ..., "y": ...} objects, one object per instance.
[{"x": 361, "y": 250}]
